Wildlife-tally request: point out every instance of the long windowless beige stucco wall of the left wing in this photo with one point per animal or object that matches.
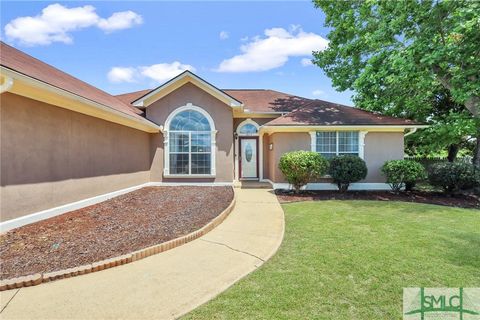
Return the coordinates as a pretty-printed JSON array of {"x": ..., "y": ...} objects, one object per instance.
[{"x": 52, "y": 156}]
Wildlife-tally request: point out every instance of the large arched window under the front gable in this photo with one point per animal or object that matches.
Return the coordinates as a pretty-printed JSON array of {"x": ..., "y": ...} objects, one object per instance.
[{"x": 190, "y": 144}]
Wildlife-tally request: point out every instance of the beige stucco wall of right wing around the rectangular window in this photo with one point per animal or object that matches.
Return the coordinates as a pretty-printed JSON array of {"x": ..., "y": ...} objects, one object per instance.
[{"x": 379, "y": 147}]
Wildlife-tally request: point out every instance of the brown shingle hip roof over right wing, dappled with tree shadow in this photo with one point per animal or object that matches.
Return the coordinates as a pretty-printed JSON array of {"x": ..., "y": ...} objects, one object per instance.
[{"x": 323, "y": 113}]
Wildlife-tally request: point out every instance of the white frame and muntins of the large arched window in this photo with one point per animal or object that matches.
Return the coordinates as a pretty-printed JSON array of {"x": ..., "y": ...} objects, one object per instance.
[{"x": 166, "y": 144}]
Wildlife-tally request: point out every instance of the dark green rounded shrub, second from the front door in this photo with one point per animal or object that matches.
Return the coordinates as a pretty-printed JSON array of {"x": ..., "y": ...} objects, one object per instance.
[{"x": 347, "y": 169}]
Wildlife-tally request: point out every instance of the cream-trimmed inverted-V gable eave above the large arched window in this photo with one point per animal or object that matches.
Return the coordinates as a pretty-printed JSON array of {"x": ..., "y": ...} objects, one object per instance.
[{"x": 180, "y": 80}]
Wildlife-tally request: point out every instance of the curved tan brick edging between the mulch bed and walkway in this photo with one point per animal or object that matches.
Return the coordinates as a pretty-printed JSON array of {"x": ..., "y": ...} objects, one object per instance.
[{"x": 38, "y": 278}]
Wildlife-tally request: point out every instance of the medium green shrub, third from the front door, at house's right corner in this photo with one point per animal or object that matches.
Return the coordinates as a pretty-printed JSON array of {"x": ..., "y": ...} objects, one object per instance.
[{"x": 403, "y": 173}]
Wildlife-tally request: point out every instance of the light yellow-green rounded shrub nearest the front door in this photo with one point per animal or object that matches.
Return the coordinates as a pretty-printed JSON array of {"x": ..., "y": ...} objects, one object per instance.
[{"x": 302, "y": 167}]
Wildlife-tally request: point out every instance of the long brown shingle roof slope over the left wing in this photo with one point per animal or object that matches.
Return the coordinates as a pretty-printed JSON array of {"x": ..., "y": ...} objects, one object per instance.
[{"x": 21, "y": 62}]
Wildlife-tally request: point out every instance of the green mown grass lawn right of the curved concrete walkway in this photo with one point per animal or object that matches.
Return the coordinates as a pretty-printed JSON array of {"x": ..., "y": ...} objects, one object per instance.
[{"x": 351, "y": 259}]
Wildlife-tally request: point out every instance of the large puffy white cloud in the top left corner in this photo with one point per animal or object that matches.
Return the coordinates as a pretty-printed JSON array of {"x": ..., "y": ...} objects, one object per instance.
[{"x": 56, "y": 22}]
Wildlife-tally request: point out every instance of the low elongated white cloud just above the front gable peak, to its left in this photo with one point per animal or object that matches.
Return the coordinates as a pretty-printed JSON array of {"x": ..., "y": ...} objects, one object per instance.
[{"x": 160, "y": 72}]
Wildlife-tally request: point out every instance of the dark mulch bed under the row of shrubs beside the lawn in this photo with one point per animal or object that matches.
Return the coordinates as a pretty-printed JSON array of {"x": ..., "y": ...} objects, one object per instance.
[{"x": 462, "y": 201}]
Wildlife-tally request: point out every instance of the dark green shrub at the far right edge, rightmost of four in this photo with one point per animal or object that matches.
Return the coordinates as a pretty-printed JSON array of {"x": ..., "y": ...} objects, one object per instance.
[{"x": 454, "y": 176}]
